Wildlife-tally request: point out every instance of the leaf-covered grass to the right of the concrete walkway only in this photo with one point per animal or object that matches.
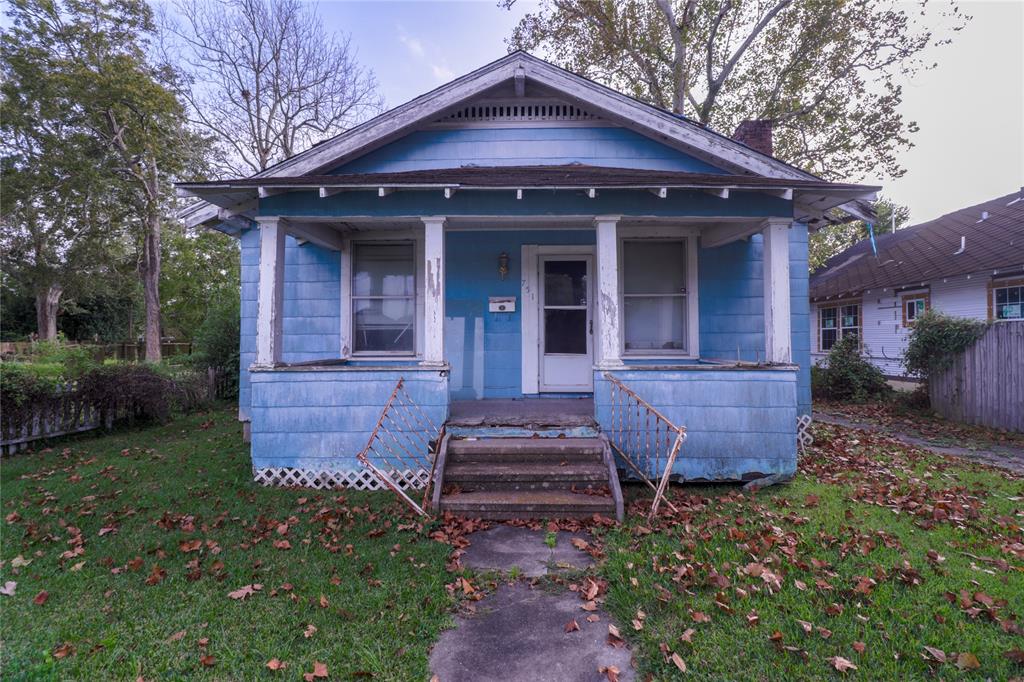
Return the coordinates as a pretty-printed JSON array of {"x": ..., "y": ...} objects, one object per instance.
[{"x": 870, "y": 547}]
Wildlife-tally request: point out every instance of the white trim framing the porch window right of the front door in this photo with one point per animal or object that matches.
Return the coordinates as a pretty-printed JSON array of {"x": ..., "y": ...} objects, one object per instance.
[{"x": 663, "y": 234}]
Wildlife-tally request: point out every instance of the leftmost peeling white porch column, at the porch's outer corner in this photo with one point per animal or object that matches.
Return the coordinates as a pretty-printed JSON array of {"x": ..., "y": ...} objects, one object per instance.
[{"x": 271, "y": 296}]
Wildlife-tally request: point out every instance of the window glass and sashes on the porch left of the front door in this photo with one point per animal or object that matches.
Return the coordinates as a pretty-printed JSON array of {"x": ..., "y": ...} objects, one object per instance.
[{"x": 383, "y": 297}]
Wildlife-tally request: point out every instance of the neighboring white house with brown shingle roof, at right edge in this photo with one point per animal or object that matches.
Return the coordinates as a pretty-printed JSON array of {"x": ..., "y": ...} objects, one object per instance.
[{"x": 969, "y": 264}]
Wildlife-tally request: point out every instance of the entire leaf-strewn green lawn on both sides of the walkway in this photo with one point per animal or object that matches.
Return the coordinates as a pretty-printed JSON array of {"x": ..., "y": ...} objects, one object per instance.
[{"x": 142, "y": 536}]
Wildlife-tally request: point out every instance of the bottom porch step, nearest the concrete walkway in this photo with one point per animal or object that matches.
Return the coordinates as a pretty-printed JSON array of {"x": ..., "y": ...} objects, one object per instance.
[{"x": 527, "y": 504}]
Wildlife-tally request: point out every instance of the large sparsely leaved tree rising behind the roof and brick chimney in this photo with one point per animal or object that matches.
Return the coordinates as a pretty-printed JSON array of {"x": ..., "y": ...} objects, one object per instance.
[{"x": 828, "y": 73}]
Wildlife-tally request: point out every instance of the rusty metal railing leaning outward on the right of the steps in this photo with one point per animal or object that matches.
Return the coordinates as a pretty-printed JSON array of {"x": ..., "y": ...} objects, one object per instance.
[{"x": 646, "y": 440}]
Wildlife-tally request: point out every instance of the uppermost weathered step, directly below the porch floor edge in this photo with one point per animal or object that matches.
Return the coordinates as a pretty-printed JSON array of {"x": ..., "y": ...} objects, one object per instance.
[{"x": 526, "y": 450}]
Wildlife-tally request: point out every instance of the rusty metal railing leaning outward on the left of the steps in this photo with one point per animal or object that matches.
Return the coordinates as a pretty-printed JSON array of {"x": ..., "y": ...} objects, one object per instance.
[{"x": 407, "y": 442}]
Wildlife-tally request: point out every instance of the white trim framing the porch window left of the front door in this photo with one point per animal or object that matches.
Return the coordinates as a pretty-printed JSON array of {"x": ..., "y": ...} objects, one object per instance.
[{"x": 349, "y": 320}]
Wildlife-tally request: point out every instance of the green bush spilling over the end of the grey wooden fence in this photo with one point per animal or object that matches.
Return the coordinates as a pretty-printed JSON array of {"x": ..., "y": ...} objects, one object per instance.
[{"x": 936, "y": 339}]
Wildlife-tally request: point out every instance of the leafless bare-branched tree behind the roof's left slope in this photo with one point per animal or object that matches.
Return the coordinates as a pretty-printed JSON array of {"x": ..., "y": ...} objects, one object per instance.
[{"x": 266, "y": 79}]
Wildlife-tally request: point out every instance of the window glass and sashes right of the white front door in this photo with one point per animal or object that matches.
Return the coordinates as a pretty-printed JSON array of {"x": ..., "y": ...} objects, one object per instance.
[{"x": 655, "y": 296}]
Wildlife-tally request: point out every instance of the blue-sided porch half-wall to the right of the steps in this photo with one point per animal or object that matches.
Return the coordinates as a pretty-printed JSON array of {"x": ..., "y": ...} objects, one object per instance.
[{"x": 740, "y": 423}]
